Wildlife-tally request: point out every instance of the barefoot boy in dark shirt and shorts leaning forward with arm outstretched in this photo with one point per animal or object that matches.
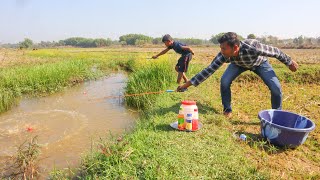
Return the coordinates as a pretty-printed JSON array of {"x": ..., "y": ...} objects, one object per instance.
[{"x": 180, "y": 48}]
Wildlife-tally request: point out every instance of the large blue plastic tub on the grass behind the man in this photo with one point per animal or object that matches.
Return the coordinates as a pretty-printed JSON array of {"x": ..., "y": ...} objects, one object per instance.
[{"x": 284, "y": 128}]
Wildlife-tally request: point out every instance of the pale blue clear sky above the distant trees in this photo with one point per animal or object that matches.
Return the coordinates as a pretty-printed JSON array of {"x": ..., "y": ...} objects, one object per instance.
[{"x": 53, "y": 20}]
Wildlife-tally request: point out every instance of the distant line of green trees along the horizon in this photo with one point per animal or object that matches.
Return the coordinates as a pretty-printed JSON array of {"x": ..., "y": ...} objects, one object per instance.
[{"x": 140, "y": 39}]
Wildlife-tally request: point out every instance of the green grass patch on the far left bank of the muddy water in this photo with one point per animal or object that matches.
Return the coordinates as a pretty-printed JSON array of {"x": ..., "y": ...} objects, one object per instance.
[{"x": 42, "y": 79}]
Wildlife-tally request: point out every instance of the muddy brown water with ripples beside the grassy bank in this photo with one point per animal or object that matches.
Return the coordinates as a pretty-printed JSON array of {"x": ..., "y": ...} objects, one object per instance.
[{"x": 66, "y": 122}]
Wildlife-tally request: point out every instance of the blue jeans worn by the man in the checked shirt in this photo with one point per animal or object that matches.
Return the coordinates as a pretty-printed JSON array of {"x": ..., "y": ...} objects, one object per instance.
[{"x": 265, "y": 71}]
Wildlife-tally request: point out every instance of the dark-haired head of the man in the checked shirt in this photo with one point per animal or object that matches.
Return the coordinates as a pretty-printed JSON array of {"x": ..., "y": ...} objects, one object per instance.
[{"x": 229, "y": 44}]
